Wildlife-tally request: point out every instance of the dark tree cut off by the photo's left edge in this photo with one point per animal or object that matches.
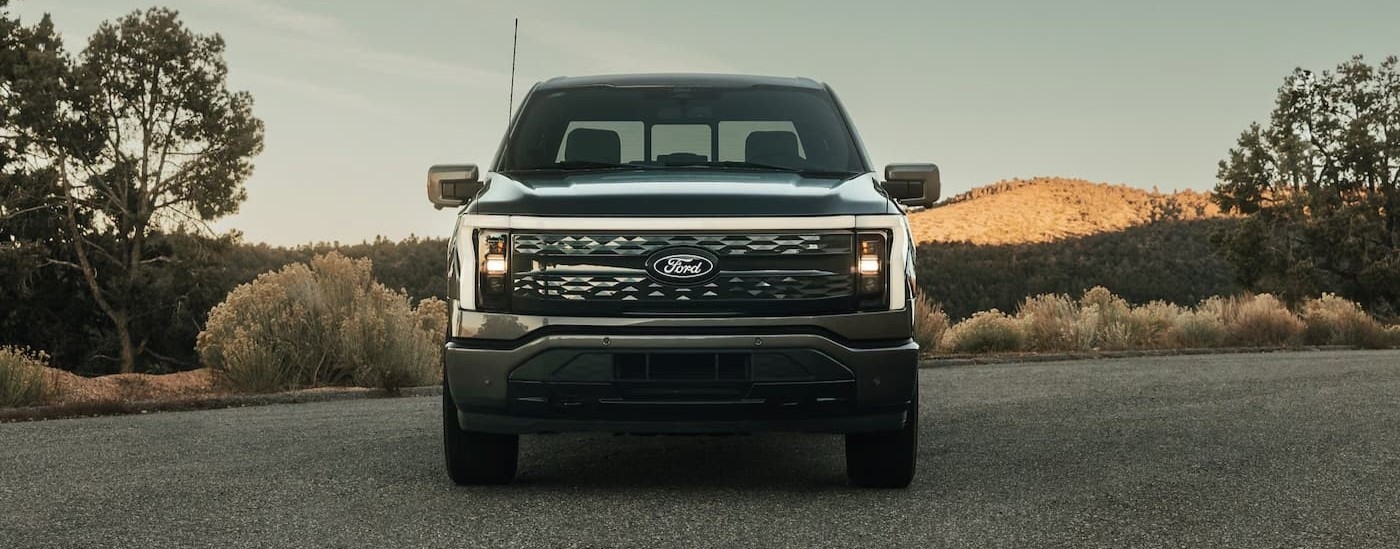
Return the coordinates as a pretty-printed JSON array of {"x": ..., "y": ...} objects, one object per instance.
[{"x": 38, "y": 307}]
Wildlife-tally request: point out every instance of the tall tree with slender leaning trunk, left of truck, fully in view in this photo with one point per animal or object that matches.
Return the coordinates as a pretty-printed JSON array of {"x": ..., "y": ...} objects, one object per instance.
[{"x": 171, "y": 151}]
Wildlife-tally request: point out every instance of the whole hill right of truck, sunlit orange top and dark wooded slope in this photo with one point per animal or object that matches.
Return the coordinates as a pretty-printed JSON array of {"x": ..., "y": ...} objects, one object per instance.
[{"x": 996, "y": 246}]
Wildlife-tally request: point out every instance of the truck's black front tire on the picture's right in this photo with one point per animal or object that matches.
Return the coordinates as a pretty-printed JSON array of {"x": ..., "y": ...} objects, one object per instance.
[{"x": 884, "y": 460}]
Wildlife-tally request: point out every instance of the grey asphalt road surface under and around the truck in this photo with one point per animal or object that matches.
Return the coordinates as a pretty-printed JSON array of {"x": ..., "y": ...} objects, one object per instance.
[{"x": 1298, "y": 450}]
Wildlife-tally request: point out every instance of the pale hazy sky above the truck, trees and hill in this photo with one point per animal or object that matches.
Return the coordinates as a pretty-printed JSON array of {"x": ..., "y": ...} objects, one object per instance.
[{"x": 362, "y": 97}]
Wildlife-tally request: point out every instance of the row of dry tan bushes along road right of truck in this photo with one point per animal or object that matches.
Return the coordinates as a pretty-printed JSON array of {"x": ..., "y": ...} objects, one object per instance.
[{"x": 1104, "y": 321}]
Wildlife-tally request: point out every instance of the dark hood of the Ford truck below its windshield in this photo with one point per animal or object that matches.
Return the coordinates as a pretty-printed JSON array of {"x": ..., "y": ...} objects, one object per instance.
[{"x": 680, "y": 194}]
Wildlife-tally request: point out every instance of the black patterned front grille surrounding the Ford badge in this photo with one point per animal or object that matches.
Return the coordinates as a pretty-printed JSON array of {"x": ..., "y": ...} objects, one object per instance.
[{"x": 604, "y": 274}]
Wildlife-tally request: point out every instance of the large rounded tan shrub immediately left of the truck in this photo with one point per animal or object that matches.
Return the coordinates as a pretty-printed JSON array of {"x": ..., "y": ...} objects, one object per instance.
[{"x": 325, "y": 324}]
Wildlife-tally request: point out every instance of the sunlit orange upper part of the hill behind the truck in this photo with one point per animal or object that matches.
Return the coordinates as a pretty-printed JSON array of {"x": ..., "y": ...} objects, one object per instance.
[{"x": 1052, "y": 209}]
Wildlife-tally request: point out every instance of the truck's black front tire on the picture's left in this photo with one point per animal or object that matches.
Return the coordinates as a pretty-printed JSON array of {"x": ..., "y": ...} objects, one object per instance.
[{"x": 477, "y": 459}]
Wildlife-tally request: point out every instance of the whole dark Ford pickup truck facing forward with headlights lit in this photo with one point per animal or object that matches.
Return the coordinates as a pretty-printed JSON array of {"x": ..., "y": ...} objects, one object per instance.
[{"x": 681, "y": 254}]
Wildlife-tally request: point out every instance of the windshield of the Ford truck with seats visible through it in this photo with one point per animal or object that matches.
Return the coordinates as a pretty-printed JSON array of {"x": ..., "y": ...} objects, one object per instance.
[{"x": 660, "y": 128}]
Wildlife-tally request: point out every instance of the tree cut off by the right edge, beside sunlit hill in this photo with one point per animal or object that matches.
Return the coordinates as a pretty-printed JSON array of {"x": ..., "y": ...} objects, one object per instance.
[{"x": 1321, "y": 188}]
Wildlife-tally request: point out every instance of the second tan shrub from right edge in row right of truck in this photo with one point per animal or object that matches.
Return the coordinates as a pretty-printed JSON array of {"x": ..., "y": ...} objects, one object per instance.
[{"x": 1256, "y": 321}]
